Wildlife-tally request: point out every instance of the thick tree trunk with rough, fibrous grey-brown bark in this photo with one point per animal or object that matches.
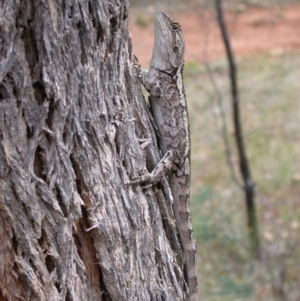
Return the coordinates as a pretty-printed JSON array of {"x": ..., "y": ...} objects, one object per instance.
[{"x": 71, "y": 119}]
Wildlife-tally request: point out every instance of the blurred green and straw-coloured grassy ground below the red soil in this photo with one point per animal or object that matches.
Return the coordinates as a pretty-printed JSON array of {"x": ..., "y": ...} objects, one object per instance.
[{"x": 270, "y": 113}]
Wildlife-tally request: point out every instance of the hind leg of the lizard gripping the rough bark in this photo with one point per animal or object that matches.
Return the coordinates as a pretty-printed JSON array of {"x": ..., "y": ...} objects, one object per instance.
[{"x": 161, "y": 169}]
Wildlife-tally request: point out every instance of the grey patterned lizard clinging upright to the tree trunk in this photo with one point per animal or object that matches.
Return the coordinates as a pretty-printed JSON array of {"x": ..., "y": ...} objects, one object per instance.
[{"x": 169, "y": 108}]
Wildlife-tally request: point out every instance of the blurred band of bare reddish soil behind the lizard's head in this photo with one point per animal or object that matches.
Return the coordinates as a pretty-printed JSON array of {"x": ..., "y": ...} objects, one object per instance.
[{"x": 252, "y": 31}]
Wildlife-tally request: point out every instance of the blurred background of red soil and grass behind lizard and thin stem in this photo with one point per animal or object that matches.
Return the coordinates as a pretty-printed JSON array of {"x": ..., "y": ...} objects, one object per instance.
[{"x": 265, "y": 37}]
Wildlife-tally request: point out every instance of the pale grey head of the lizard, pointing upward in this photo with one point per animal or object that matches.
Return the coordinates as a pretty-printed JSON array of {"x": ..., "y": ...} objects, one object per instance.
[{"x": 168, "y": 47}]
